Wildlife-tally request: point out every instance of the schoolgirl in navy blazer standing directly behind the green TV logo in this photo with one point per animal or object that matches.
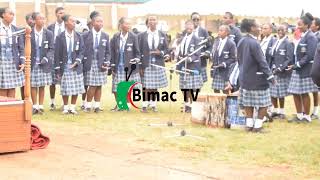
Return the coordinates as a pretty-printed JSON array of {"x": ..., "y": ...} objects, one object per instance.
[{"x": 124, "y": 51}]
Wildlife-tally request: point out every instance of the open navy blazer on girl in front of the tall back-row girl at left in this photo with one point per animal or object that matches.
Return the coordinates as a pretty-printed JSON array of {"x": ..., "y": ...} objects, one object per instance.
[{"x": 61, "y": 54}]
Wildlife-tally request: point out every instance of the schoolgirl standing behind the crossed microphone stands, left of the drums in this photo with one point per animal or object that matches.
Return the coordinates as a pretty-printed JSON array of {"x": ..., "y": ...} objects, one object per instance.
[{"x": 193, "y": 80}]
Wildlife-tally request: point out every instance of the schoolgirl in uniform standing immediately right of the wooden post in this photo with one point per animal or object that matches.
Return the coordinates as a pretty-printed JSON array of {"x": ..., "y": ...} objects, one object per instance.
[{"x": 41, "y": 61}]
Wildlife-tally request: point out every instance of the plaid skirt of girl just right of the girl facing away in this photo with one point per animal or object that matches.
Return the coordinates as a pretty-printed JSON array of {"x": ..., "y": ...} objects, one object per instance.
[{"x": 280, "y": 90}]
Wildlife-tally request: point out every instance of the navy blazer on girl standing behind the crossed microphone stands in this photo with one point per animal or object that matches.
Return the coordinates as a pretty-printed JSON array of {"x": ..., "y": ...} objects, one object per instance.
[{"x": 195, "y": 64}]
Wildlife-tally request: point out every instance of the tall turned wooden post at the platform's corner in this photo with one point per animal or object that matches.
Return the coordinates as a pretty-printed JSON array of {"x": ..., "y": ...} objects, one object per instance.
[{"x": 27, "y": 88}]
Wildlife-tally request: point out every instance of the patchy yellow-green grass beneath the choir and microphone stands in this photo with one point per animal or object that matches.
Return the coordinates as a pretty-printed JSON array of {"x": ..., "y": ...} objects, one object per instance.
[{"x": 293, "y": 146}]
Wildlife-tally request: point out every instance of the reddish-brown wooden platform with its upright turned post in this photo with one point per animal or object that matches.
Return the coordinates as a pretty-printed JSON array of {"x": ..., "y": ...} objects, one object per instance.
[{"x": 15, "y": 115}]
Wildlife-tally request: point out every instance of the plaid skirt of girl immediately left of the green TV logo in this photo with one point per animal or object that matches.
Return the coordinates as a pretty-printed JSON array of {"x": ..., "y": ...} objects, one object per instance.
[{"x": 95, "y": 77}]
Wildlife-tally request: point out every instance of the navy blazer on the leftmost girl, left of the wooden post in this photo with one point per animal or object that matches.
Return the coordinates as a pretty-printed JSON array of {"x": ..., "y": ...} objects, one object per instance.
[{"x": 17, "y": 48}]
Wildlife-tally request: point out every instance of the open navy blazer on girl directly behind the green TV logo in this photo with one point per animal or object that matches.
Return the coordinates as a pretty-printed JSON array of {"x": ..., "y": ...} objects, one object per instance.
[{"x": 131, "y": 51}]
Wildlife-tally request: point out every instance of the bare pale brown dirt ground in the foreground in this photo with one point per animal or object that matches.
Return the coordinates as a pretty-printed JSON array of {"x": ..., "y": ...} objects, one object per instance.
[{"x": 83, "y": 153}]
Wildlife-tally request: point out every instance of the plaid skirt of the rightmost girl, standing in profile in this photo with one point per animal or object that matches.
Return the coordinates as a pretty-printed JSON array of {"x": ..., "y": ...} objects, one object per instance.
[{"x": 301, "y": 85}]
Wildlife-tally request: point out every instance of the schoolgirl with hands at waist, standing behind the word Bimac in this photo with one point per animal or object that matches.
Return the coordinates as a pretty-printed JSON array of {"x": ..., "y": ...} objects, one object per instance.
[{"x": 154, "y": 48}]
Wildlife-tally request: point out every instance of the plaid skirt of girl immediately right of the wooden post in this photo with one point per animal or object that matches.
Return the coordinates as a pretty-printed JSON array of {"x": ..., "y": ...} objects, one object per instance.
[{"x": 40, "y": 78}]
